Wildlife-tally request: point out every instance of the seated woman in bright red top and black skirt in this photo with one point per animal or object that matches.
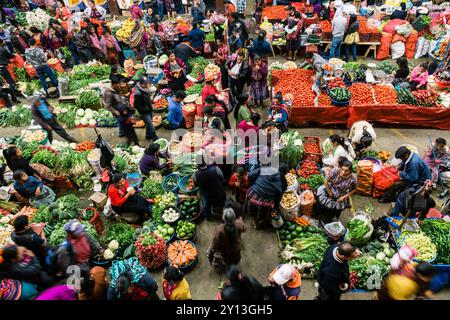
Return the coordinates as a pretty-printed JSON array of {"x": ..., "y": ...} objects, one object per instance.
[{"x": 125, "y": 199}]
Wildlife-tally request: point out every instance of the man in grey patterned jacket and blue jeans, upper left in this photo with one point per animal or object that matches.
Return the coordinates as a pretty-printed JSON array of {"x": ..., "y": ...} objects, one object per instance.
[{"x": 37, "y": 58}]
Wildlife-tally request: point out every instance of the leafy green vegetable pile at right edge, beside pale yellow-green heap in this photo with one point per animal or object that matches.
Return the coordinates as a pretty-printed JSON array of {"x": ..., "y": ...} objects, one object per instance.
[{"x": 439, "y": 233}]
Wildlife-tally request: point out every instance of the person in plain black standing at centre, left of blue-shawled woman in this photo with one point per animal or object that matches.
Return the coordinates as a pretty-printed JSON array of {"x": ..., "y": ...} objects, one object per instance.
[{"x": 210, "y": 180}]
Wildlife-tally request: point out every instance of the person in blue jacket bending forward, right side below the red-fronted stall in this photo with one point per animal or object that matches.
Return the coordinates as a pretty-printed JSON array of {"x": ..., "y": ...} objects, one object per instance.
[{"x": 413, "y": 170}]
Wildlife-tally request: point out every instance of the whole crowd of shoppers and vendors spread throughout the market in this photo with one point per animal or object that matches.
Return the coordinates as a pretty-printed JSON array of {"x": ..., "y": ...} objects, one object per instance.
[{"x": 31, "y": 269}]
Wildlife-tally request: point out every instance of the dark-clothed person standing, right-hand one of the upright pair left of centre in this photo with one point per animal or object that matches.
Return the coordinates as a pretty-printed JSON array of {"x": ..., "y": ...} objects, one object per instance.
[{"x": 143, "y": 104}]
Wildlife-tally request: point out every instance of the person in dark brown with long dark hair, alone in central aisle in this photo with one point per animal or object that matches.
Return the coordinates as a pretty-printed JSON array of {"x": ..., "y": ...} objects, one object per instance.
[{"x": 225, "y": 248}]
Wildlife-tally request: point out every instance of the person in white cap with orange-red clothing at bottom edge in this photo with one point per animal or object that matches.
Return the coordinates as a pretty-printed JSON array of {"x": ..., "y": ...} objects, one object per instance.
[{"x": 286, "y": 282}]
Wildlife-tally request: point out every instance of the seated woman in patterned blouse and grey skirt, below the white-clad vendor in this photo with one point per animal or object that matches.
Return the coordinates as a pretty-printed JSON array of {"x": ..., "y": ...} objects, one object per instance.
[{"x": 333, "y": 196}]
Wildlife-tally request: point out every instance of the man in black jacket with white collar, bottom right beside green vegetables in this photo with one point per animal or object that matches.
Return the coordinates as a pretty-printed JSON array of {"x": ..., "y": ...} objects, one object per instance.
[{"x": 333, "y": 276}]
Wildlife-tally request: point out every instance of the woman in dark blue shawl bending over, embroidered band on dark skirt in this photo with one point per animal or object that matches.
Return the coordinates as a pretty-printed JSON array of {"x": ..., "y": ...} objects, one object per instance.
[{"x": 264, "y": 194}]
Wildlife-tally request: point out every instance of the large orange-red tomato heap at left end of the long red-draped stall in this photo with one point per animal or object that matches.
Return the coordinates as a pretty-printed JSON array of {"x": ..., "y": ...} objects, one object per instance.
[{"x": 297, "y": 82}]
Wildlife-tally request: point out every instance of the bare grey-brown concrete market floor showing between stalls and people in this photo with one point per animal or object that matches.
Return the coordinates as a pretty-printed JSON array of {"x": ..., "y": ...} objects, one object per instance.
[{"x": 260, "y": 252}]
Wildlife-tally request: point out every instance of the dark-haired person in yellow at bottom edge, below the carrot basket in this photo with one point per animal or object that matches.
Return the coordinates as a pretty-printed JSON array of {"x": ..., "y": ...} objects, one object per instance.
[{"x": 175, "y": 286}]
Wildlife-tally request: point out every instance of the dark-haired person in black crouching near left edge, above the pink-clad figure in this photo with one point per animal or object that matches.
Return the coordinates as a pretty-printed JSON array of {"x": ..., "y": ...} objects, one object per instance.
[{"x": 24, "y": 236}]
